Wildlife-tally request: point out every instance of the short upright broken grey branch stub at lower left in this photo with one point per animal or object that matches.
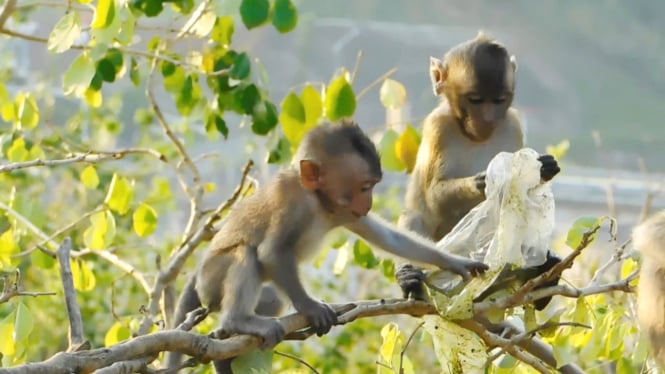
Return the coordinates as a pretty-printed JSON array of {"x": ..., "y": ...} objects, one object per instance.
[{"x": 73, "y": 311}]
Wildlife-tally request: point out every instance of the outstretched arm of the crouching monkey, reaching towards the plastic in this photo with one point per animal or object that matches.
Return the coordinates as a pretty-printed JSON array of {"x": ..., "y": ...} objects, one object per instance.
[{"x": 410, "y": 246}]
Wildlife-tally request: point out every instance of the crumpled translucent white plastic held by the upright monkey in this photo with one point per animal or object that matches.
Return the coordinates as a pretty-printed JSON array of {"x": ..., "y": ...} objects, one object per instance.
[{"x": 515, "y": 222}]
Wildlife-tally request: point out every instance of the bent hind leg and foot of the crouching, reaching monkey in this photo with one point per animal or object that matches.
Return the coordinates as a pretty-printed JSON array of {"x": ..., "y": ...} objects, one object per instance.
[{"x": 241, "y": 295}]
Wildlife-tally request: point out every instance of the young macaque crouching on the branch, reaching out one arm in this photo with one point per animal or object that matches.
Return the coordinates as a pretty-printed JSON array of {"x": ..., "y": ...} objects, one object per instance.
[{"x": 267, "y": 235}]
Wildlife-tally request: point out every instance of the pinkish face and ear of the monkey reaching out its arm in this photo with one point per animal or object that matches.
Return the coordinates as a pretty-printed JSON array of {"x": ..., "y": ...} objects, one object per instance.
[{"x": 347, "y": 185}]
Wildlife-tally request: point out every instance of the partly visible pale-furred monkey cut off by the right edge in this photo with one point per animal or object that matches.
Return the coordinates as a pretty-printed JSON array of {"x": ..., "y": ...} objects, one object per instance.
[{"x": 649, "y": 239}]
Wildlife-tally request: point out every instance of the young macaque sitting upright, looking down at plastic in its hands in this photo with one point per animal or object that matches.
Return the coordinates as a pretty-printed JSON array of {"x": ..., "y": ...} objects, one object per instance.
[{"x": 471, "y": 125}]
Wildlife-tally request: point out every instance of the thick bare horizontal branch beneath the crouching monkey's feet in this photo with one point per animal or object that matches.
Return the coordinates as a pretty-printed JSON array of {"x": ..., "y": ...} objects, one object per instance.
[{"x": 205, "y": 348}]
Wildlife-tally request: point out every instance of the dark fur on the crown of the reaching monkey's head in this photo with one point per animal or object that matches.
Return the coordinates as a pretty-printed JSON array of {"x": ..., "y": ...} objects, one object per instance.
[{"x": 331, "y": 139}]
